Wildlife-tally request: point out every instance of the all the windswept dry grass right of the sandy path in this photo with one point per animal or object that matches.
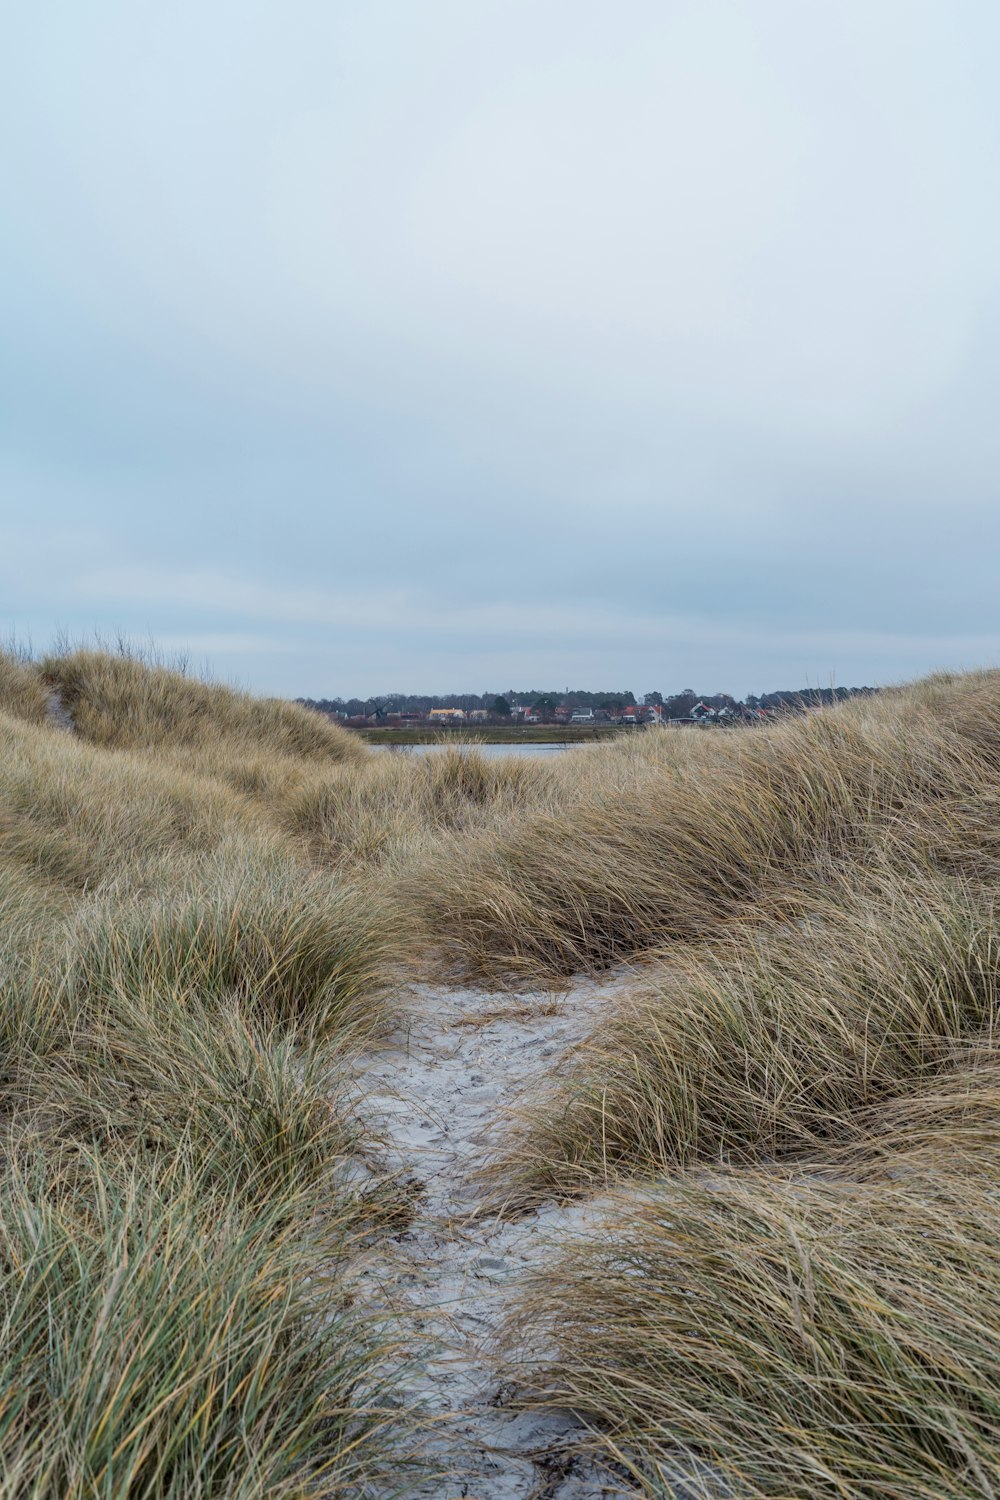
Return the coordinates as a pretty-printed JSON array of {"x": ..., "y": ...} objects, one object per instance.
[{"x": 800, "y": 1297}]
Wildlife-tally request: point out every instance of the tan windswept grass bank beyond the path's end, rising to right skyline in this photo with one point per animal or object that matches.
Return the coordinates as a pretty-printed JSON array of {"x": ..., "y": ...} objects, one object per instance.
[{"x": 701, "y": 842}]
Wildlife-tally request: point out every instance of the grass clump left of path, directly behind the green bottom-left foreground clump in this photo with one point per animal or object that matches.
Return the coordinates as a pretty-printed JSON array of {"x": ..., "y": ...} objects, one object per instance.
[{"x": 254, "y": 1105}]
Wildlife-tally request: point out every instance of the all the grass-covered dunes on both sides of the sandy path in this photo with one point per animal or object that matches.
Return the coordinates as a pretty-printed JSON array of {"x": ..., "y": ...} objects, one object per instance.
[{"x": 792, "y": 1100}]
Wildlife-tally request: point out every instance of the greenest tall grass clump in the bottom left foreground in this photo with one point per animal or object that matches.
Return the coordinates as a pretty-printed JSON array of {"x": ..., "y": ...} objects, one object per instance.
[{"x": 163, "y": 1339}]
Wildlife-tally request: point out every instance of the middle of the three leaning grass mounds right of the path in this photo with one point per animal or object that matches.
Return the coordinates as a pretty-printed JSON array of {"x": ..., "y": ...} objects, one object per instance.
[{"x": 771, "y": 1042}]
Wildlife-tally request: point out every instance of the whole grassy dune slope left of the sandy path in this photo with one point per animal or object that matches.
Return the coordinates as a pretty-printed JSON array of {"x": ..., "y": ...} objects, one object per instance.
[{"x": 181, "y": 1217}]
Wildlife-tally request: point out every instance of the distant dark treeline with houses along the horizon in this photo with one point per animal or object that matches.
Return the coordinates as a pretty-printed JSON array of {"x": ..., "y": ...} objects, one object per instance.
[{"x": 675, "y": 704}]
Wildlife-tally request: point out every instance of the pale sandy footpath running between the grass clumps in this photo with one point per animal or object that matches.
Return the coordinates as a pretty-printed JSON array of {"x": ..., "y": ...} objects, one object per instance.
[{"x": 442, "y": 1090}]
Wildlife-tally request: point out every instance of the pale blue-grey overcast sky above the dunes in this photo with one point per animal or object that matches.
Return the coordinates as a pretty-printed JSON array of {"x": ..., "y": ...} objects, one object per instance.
[{"x": 365, "y": 346}]
